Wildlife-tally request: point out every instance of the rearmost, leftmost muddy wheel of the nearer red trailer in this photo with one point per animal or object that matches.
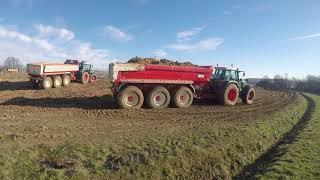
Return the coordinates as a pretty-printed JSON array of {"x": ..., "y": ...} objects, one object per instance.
[{"x": 130, "y": 97}]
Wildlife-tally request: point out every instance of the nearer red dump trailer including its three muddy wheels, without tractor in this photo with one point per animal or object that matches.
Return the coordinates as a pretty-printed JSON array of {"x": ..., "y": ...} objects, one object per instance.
[{"x": 162, "y": 80}]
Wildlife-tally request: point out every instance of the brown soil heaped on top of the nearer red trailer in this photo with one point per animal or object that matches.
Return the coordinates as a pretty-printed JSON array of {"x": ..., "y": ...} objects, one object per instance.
[{"x": 141, "y": 60}]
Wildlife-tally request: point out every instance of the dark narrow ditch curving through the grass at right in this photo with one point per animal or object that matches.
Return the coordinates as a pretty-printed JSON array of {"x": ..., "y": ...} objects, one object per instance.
[{"x": 277, "y": 150}]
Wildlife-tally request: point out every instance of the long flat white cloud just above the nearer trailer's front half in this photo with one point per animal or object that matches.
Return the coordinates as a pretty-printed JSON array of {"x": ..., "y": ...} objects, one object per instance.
[{"x": 204, "y": 45}]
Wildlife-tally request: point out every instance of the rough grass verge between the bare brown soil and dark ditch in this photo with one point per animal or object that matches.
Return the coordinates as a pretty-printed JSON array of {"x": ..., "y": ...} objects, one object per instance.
[{"x": 197, "y": 153}]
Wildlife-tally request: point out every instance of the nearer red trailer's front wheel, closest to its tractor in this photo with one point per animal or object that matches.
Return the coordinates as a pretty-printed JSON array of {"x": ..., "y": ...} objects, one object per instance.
[{"x": 182, "y": 97}]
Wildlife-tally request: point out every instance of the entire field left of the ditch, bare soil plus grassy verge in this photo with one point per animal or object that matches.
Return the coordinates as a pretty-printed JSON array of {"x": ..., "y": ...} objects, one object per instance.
[{"x": 81, "y": 124}]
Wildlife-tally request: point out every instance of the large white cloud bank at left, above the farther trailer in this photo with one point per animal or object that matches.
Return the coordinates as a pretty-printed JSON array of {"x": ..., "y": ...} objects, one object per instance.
[{"x": 47, "y": 46}]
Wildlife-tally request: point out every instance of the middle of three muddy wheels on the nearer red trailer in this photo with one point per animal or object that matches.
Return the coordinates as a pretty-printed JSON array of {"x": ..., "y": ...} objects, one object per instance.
[{"x": 159, "y": 97}]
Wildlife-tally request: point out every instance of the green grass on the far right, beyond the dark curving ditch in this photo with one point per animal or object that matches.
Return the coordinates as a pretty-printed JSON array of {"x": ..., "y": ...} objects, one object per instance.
[{"x": 301, "y": 159}]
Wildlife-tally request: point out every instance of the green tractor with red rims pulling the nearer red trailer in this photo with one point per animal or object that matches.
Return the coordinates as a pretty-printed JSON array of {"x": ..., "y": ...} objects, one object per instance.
[{"x": 228, "y": 87}]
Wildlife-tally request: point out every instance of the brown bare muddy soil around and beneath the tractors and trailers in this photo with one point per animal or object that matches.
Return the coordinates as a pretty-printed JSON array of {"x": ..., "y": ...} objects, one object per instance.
[{"x": 87, "y": 114}]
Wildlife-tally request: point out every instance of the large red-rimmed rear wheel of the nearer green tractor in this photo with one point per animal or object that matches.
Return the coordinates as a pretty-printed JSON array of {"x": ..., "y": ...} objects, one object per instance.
[{"x": 229, "y": 95}]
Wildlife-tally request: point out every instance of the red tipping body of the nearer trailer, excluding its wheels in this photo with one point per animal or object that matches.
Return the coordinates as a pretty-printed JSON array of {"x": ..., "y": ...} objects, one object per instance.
[{"x": 149, "y": 75}]
